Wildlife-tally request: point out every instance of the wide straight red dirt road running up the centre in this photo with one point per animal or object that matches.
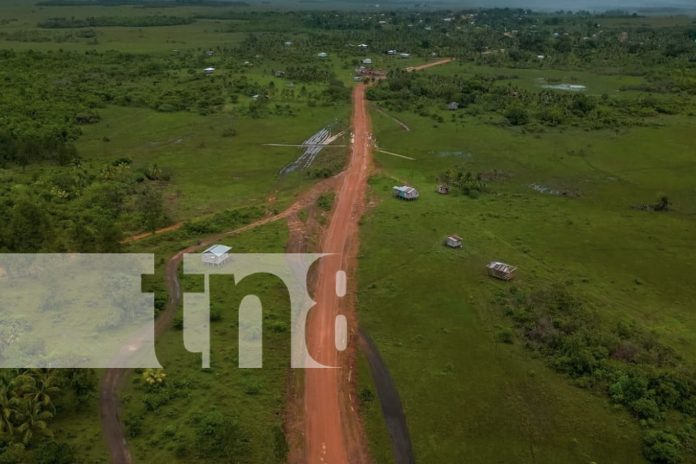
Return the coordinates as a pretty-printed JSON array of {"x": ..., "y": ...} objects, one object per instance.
[{"x": 327, "y": 433}]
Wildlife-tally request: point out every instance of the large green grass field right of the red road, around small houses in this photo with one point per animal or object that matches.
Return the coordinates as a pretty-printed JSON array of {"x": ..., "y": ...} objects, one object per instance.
[{"x": 430, "y": 309}]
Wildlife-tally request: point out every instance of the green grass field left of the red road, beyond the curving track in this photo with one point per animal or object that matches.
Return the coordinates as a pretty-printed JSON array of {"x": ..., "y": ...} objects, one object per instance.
[{"x": 210, "y": 172}]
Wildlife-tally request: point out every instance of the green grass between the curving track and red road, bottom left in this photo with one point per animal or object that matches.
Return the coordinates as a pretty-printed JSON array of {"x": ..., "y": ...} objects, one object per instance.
[{"x": 254, "y": 398}]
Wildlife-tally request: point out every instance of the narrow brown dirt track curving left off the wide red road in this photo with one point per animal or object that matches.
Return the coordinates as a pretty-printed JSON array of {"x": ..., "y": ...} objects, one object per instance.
[{"x": 113, "y": 378}]
